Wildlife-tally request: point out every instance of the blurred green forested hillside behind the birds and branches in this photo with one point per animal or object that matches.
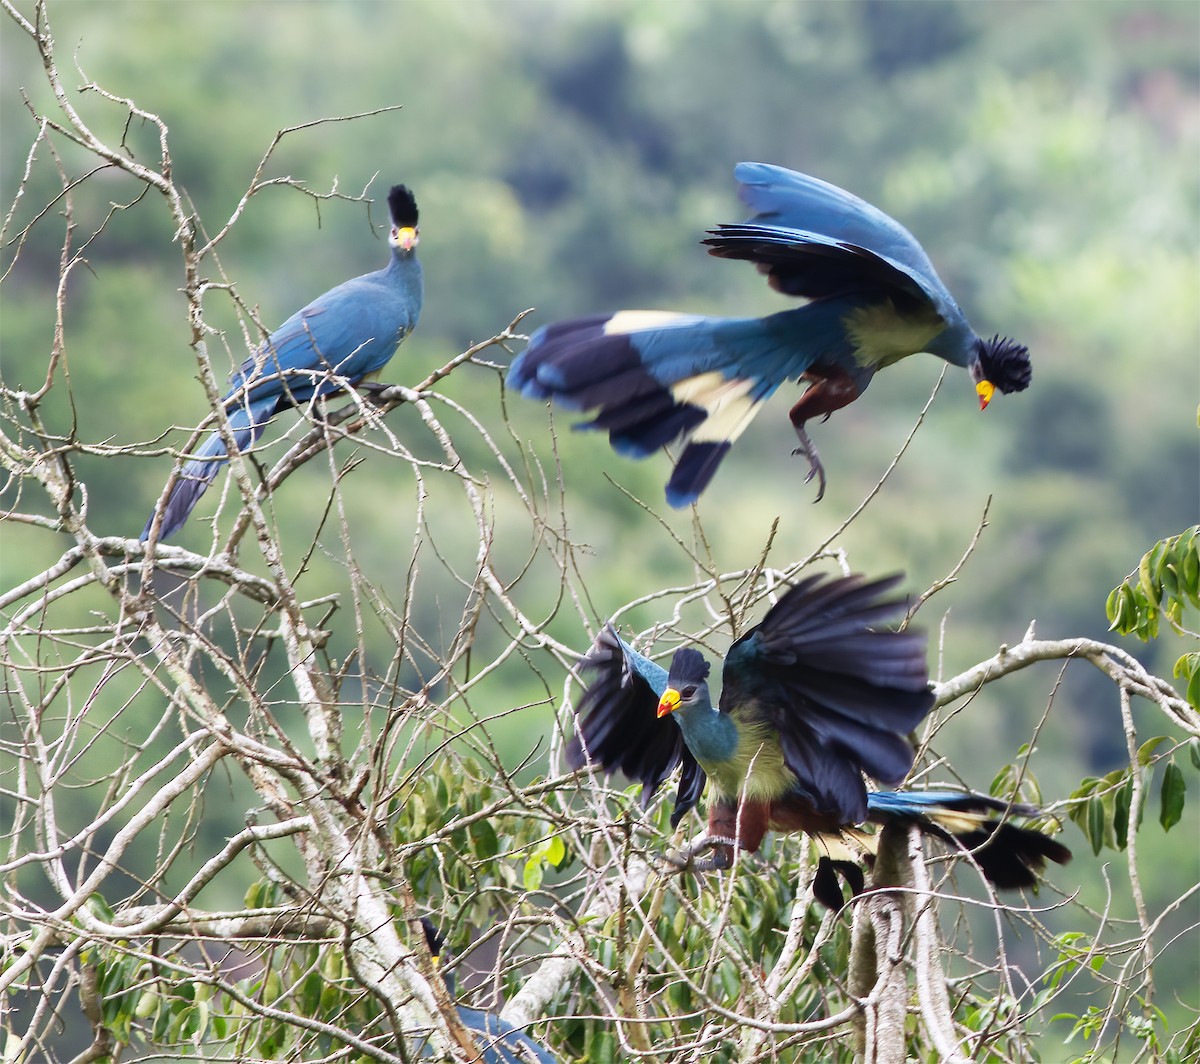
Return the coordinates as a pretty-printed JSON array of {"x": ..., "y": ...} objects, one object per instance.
[{"x": 568, "y": 158}]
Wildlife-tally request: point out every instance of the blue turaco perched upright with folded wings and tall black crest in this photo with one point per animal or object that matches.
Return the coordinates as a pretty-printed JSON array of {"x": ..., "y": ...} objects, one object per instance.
[{"x": 340, "y": 340}]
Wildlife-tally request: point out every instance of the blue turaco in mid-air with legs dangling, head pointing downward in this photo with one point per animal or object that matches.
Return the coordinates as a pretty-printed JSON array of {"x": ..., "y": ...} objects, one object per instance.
[{"x": 873, "y": 299}]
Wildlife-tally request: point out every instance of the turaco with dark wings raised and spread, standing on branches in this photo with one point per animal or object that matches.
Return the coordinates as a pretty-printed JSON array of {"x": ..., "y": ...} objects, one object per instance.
[{"x": 812, "y": 699}]
